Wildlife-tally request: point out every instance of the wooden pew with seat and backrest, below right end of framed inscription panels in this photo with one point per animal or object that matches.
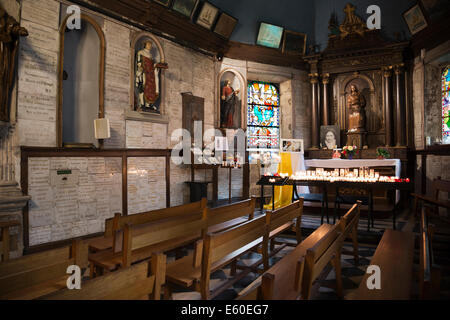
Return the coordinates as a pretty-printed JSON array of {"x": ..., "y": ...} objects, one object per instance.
[{"x": 138, "y": 242}]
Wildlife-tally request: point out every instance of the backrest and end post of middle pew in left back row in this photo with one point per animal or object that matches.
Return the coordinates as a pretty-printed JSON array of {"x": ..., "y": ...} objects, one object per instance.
[{"x": 145, "y": 235}]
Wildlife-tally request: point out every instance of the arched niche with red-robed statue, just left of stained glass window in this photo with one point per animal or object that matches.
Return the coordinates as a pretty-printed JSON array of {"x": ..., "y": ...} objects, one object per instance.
[{"x": 231, "y": 100}]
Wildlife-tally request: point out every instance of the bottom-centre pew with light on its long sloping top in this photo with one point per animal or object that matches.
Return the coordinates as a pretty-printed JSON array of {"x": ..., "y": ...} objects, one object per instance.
[{"x": 283, "y": 281}]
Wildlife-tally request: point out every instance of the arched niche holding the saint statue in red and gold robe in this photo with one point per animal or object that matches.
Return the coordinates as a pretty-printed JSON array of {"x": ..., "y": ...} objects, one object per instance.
[{"x": 148, "y": 66}]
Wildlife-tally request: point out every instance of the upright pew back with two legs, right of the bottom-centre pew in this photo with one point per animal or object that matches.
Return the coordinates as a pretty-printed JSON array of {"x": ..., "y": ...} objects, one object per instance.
[{"x": 326, "y": 250}]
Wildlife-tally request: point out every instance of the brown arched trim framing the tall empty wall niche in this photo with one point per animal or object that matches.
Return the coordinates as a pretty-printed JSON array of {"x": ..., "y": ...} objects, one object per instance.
[{"x": 101, "y": 107}]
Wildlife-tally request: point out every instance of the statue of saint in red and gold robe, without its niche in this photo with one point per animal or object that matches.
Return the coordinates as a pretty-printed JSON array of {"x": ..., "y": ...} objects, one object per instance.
[{"x": 147, "y": 79}]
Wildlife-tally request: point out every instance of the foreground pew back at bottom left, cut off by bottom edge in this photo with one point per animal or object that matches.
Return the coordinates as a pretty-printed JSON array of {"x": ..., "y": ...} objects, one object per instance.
[{"x": 140, "y": 281}]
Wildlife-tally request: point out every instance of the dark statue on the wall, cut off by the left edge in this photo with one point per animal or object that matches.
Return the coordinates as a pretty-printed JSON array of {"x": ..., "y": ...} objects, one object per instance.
[{"x": 10, "y": 32}]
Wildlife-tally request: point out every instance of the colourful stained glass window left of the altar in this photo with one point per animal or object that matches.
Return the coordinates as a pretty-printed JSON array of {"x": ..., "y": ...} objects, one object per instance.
[{"x": 263, "y": 116}]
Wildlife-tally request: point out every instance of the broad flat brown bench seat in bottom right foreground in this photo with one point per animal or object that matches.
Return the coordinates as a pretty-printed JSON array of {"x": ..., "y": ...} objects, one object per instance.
[{"x": 394, "y": 255}]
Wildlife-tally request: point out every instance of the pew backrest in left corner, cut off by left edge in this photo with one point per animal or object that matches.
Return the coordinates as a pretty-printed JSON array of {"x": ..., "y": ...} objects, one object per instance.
[{"x": 41, "y": 267}]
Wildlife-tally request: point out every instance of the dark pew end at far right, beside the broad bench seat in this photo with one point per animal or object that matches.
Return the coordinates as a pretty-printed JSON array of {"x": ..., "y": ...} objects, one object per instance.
[{"x": 429, "y": 274}]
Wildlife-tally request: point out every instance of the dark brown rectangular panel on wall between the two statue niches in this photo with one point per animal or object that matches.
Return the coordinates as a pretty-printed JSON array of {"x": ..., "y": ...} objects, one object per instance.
[{"x": 193, "y": 110}]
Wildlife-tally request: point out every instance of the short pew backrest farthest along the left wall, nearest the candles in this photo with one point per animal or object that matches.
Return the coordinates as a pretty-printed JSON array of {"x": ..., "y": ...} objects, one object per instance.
[{"x": 230, "y": 212}]
